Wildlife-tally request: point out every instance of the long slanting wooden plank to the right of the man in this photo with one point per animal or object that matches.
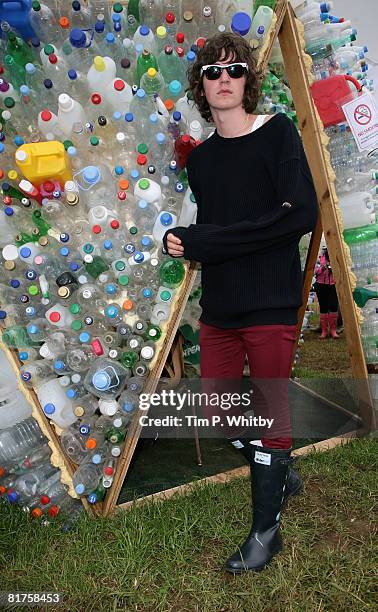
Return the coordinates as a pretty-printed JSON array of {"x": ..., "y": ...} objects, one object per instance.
[{"x": 311, "y": 129}]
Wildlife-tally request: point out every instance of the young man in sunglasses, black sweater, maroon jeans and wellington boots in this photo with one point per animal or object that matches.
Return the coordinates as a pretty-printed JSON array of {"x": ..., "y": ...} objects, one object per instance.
[{"x": 255, "y": 198}]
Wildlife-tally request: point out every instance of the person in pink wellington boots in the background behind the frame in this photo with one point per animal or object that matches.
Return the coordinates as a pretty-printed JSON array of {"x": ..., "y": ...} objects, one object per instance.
[{"x": 327, "y": 296}]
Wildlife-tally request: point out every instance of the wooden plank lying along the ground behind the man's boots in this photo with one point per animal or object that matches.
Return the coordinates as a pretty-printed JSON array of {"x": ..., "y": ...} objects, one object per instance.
[{"x": 187, "y": 489}]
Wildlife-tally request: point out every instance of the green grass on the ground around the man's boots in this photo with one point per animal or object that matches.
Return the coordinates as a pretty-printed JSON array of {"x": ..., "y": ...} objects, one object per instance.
[{"x": 168, "y": 556}]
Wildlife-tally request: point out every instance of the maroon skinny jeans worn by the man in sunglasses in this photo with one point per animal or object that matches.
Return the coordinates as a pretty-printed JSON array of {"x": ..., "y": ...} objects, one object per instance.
[{"x": 269, "y": 349}]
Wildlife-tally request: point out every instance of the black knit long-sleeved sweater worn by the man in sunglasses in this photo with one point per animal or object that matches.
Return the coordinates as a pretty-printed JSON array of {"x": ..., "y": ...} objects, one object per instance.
[{"x": 255, "y": 198}]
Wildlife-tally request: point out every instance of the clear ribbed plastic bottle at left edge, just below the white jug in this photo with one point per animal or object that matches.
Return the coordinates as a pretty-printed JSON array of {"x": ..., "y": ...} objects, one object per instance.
[{"x": 18, "y": 440}]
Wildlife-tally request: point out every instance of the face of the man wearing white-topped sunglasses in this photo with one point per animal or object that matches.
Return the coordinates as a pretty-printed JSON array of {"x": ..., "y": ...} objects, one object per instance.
[{"x": 224, "y": 93}]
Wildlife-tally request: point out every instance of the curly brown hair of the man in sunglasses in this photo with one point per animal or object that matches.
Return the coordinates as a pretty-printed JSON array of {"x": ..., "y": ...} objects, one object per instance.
[{"x": 224, "y": 45}]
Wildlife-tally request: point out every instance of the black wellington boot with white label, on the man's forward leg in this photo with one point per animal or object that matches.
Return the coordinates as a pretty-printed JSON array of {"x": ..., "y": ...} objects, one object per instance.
[{"x": 268, "y": 475}]
